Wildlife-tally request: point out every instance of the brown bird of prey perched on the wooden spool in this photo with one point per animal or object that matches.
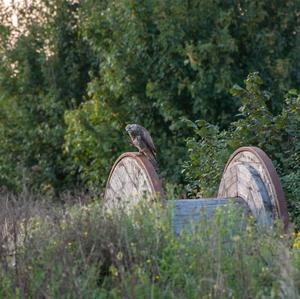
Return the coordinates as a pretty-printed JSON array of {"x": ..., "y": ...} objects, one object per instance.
[{"x": 142, "y": 140}]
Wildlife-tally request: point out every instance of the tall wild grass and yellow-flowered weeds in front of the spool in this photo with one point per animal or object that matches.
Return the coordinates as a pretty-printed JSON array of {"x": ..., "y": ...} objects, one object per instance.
[{"x": 80, "y": 250}]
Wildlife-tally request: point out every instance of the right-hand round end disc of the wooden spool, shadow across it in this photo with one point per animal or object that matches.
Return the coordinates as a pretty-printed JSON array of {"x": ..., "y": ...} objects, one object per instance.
[{"x": 250, "y": 175}]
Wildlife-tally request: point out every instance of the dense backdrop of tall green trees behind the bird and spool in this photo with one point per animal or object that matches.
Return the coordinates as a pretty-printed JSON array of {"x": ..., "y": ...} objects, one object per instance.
[{"x": 73, "y": 73}]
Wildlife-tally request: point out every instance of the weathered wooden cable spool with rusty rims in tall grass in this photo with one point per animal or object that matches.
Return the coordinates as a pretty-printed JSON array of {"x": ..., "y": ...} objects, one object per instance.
[{"x": 249, "y": 177}]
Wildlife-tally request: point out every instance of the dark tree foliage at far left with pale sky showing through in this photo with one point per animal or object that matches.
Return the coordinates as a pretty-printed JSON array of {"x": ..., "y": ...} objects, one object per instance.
[{"x": 44, "y": 72}]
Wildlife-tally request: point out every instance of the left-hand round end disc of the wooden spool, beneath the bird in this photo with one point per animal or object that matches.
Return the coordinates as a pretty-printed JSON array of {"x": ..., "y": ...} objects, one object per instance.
[{"x": 132, "y": 178}]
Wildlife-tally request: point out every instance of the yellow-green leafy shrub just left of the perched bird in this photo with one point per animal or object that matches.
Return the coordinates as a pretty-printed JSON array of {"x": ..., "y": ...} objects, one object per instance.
[{"x": 92, "y": 143}]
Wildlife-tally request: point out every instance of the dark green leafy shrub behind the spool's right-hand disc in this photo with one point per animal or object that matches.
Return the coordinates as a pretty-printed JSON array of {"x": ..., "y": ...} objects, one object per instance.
[{"x": 277, "y": 134}]
